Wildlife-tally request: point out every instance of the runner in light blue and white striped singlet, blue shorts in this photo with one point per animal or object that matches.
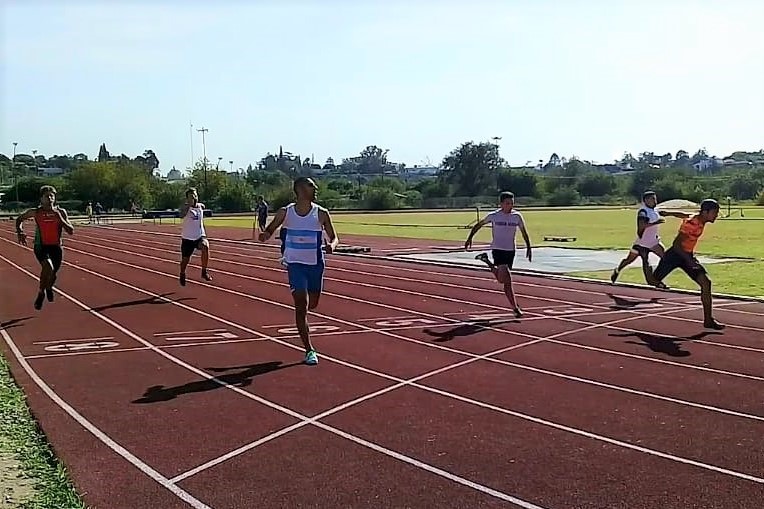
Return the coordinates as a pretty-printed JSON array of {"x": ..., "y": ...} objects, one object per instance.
[{"x": 303, "y": 223}]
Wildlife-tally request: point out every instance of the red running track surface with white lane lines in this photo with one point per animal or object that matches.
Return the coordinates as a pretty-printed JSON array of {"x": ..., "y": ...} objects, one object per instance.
[{"x": 428, "y": 393}]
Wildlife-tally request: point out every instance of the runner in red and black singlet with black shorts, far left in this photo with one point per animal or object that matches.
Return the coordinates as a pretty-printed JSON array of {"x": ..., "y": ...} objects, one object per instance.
[{"x": 50, "y": 220}]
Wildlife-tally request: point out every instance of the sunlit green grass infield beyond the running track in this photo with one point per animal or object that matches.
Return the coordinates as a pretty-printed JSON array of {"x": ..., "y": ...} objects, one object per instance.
[{"x": 601, "y": 229}]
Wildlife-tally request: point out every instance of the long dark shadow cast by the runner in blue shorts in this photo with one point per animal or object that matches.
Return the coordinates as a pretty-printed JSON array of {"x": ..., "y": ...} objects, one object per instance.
[{"x": 242, "y": 378}]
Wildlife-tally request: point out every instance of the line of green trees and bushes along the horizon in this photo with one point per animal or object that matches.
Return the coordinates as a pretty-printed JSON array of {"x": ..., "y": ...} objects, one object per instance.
[{"x": 472, "y": 174}]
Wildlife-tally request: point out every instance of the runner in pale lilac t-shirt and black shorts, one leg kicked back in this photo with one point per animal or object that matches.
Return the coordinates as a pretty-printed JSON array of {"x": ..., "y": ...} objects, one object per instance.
[{"x": 505, "y": 221}]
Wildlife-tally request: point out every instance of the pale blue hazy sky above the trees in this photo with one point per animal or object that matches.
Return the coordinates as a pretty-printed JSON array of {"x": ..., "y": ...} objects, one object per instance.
[{"x": 585, "y": 78}]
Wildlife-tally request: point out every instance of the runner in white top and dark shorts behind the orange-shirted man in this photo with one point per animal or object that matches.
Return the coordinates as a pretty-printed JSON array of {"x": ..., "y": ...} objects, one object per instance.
[{"x": 648, "y": 240}]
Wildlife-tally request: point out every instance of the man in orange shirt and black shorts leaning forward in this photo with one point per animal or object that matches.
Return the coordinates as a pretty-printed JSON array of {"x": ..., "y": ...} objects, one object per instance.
[{"x": 681, "y": 255}]
